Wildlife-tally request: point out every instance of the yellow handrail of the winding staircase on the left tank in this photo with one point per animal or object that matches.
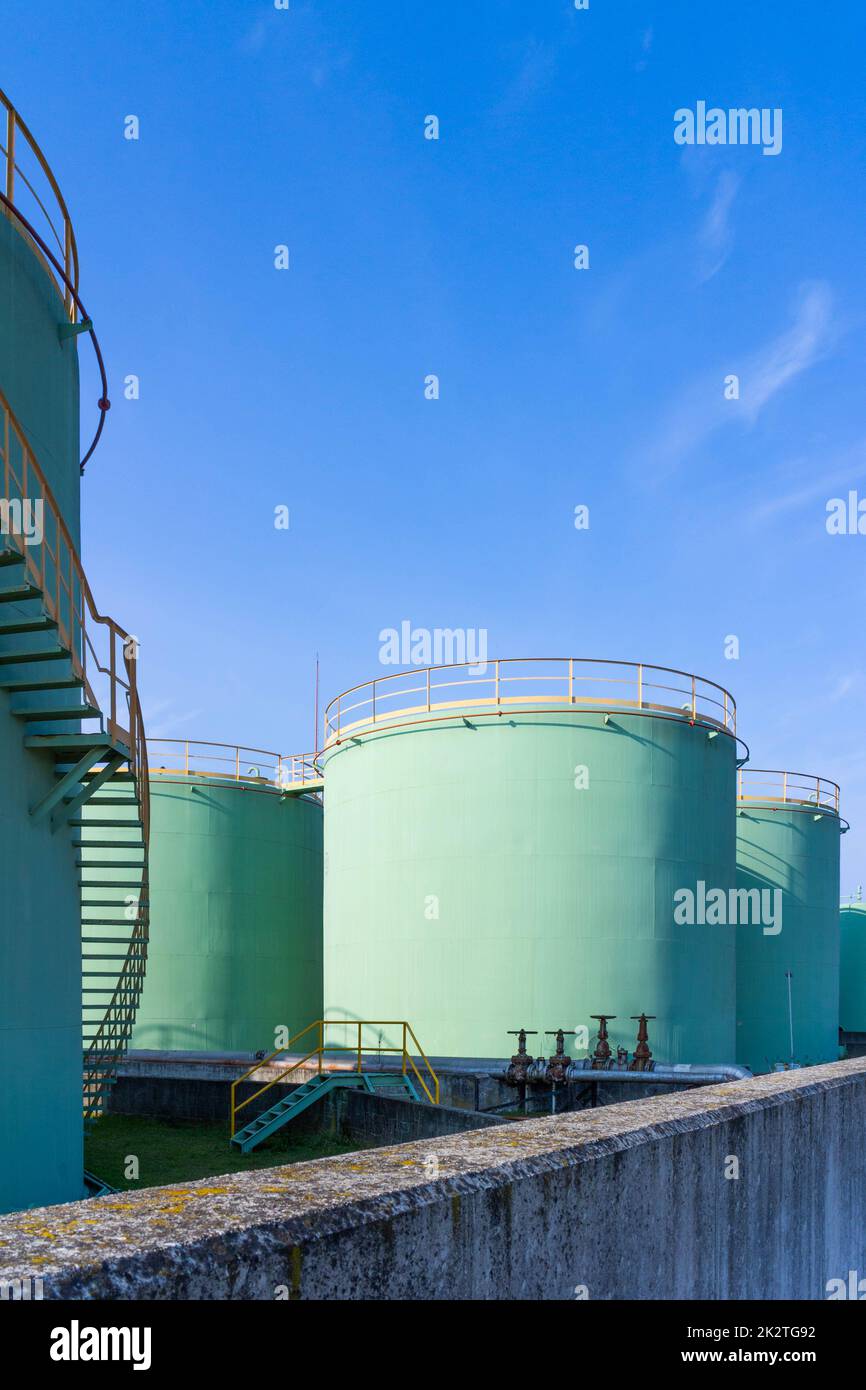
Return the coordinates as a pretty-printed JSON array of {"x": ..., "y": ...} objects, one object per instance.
[{"x": 54, "y": 568}]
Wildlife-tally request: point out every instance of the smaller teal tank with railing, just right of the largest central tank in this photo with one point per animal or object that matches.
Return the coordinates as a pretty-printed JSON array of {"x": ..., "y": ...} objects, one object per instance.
[{"x": 789, "y": 961}]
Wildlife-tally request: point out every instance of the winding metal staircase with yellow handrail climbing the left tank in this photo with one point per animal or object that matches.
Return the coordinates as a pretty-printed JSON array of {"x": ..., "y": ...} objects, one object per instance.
[{"x": 65, "y": 667}]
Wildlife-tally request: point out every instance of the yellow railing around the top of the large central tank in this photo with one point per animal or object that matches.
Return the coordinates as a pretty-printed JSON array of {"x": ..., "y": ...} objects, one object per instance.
[{"x": 640, "y": 689}]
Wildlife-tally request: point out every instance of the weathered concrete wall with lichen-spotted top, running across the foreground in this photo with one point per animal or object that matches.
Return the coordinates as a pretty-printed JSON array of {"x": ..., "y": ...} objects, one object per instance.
[{"x": 626, "y": 1202}]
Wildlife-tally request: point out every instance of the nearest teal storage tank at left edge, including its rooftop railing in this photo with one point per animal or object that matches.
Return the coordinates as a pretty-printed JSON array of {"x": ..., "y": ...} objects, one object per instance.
[{"x": 41, "y": 1033}]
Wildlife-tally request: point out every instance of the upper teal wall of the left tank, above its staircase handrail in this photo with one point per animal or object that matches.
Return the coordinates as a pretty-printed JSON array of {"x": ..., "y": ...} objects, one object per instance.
[{"x": 38, "y": 372}]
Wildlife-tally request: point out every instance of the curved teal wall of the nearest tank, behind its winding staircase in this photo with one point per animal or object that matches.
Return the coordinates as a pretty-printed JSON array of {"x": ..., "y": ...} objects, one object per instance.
[{"x": 41, "y": 1159}]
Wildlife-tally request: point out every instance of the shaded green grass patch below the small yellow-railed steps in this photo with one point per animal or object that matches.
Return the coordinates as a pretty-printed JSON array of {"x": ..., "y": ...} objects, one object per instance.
[{"x": 179, "y": 1152}]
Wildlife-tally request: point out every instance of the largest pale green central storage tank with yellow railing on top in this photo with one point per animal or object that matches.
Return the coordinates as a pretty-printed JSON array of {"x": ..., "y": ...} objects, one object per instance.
[{"x": 505, "y": 849}]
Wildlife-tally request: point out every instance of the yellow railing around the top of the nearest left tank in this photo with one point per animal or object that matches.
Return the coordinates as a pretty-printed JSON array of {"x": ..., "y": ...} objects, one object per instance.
[{"x": 33, "y": 190}]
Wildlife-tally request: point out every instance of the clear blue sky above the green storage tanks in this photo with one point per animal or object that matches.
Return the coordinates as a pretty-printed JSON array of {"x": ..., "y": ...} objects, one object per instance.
[{"x": 558, "y": 387}]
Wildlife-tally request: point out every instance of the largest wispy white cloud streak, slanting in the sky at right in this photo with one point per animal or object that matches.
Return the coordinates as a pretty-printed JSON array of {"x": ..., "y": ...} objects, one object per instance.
[{"x": 704, "y": 409}]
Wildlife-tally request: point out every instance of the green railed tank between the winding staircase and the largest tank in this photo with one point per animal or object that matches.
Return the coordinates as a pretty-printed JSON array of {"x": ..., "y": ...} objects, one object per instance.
[{"x": 236, "y": 900}]
